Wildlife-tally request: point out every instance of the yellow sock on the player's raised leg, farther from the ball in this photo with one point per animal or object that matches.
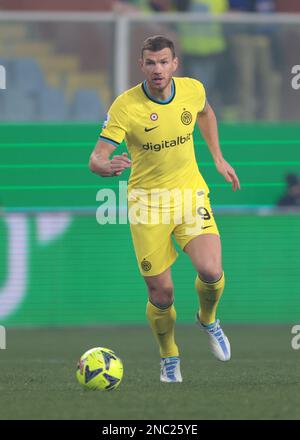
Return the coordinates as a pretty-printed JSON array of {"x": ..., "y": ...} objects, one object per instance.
[{"x": 209, "y": 297}]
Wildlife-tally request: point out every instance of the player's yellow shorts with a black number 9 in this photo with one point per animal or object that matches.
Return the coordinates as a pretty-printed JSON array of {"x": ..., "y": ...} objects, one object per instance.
[{"x": 153, "y": 244}]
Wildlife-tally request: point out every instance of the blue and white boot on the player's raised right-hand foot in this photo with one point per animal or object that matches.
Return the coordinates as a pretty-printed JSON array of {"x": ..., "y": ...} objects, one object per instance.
[{"x": 218, "y": 341}]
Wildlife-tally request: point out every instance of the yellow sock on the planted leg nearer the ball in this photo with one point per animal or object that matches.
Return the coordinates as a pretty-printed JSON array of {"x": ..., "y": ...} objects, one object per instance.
[{"x": 162, "y": 322}]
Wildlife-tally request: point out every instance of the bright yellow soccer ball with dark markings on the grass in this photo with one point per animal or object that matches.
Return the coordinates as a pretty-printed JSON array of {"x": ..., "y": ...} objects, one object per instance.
[{"x": 99, "y": 369}]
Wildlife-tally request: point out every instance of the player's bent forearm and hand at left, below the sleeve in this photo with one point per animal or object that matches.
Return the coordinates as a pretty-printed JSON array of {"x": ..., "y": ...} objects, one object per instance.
[{"x": 101, "y": 164}]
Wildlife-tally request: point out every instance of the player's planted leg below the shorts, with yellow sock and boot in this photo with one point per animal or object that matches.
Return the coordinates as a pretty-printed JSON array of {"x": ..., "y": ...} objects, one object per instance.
[{"x": 161, "y": 315}]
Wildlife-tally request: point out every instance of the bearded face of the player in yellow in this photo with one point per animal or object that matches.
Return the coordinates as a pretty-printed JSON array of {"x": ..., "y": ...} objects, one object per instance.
[{"x": 158, "y": 68}]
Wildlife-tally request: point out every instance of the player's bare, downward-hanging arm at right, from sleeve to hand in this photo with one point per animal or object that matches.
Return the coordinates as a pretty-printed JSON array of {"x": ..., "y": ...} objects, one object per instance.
[{"x": 207, "y": 122}]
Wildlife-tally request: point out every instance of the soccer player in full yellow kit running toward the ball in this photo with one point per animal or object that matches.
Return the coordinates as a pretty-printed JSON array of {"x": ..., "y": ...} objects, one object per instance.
[{"x": 157, "y": 119}]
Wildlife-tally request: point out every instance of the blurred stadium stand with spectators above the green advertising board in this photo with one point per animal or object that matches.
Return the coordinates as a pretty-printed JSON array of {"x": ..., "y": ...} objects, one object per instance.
[{"x": 65, "y": 71}]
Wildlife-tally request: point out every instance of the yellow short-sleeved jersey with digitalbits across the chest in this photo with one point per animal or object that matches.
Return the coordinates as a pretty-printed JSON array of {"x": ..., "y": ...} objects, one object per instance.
[{"x": 158, "y": 135}]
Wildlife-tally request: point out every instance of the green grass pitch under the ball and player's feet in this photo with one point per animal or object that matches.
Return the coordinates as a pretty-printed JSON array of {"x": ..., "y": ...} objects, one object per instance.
[{"x": 262, "y": 381}]
